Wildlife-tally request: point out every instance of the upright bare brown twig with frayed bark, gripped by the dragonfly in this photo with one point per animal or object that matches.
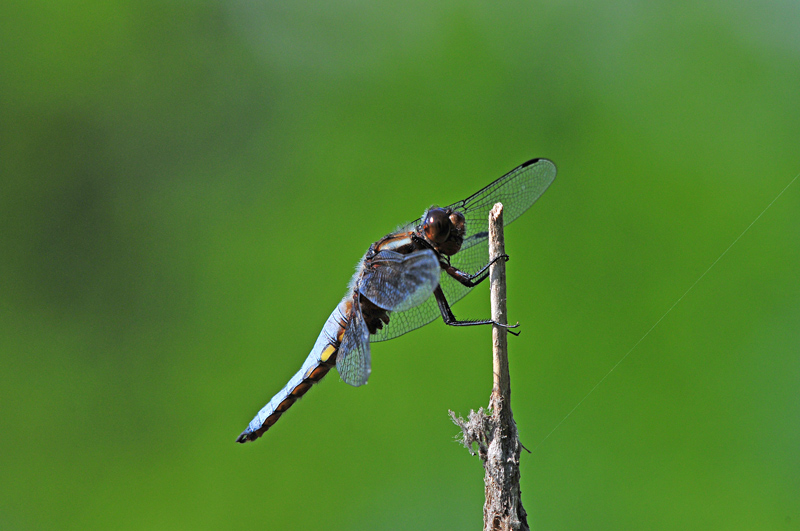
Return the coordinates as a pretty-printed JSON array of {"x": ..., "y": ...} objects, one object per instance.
[{"x": 496, "y": 434}]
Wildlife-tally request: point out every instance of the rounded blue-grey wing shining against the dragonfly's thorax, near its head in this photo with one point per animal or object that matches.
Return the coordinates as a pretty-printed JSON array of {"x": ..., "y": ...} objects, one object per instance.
[{"x": 398, "y": 282}]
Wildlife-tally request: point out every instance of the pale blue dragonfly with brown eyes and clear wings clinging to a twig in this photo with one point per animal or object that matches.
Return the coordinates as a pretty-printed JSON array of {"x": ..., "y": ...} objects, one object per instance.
[{"x": 408, "y": 279}]
